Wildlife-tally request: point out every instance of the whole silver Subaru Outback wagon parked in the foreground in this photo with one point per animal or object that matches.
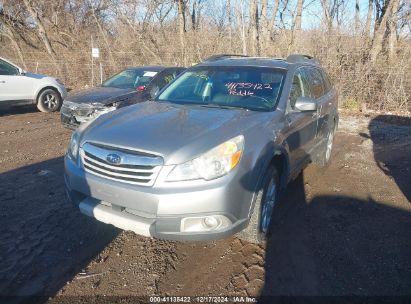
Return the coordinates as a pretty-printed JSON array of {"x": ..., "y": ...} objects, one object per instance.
[{"x": 208, "y": 157}]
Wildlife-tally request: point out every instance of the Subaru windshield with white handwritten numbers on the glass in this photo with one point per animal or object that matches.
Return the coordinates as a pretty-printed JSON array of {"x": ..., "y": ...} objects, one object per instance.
[{"x": 253, "y": 88}]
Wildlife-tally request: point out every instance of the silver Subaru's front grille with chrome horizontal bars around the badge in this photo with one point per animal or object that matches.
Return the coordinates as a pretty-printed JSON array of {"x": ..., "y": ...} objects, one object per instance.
[{"x": 134, "y": 168}]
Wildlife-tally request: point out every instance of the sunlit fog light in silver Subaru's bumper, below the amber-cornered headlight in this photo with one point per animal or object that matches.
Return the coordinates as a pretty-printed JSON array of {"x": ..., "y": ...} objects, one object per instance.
[{"x": 204, "y": 223}]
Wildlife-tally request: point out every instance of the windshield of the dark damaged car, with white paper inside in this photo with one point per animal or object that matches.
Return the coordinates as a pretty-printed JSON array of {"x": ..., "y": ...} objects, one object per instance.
[{"x": 130, "y": 79}]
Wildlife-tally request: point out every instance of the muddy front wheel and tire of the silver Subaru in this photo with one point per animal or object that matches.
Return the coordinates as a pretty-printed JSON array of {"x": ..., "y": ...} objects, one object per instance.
[{"x": 265, "y": 204}]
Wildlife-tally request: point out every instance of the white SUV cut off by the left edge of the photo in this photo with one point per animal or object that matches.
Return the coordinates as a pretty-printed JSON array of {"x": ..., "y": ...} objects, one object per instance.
[{"x": 20, "y": 87}]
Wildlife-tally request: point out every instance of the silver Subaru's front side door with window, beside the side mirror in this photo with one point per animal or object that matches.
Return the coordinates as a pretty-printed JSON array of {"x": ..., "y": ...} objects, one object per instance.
[{"x": 302, "y": 126}]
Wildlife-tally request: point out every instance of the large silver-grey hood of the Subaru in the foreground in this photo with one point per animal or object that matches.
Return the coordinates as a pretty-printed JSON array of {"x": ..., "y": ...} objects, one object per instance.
[{"x": 176, "y": 132}]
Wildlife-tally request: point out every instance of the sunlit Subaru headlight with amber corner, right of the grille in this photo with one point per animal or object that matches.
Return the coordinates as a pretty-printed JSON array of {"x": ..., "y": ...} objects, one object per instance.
[{"x": 213, "y": 164}]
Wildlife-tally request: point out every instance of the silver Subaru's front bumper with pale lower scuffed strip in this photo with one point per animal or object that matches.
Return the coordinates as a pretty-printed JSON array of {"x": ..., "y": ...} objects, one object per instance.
[{"x": 158, "y": 211}]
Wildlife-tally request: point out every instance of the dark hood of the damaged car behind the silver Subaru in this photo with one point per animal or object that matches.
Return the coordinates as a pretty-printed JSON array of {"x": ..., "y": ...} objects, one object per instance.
[{"x": 101, "y": 95}]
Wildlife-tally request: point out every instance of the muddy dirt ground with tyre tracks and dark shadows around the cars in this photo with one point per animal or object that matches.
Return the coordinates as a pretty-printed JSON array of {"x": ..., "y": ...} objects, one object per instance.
[{"x": 341, "y": 230}]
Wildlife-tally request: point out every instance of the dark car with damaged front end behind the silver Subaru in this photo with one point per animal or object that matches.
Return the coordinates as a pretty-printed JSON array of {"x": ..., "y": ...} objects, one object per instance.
[{"x": 128, "y": 87}]
